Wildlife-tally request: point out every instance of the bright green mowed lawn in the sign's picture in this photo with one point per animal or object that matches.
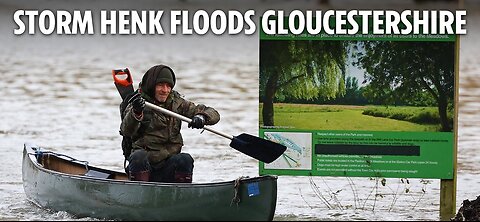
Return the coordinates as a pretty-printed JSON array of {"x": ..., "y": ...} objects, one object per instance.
[{"x": 337, "y": 117}]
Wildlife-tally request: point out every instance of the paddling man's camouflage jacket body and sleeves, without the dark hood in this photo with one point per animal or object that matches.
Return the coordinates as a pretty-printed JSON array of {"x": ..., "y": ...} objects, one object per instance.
[{"x": 159, "y": 133}]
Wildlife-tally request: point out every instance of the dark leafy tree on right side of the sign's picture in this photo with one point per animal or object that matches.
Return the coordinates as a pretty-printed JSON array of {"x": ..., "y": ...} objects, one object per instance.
[{"x": 412, "y": 68}]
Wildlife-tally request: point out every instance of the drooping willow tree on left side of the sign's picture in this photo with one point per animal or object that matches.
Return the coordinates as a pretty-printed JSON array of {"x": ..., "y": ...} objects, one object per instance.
[{"x": 300, "y": 70}]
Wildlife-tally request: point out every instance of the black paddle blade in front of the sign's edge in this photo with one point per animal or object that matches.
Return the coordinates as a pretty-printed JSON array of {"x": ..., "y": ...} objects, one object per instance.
[{"x": 258, "y": 148}]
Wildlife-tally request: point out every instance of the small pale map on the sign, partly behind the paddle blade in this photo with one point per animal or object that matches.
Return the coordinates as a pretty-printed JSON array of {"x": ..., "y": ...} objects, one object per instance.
[{"x": 299, "y": 150}]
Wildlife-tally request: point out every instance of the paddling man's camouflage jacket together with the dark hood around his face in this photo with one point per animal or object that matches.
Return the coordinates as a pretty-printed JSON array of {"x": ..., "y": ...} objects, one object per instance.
[{"x": 156, "y": 131}]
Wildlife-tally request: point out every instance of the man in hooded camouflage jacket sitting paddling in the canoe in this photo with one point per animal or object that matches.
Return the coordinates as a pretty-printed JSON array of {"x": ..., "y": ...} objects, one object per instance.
[{"x": 157, "y": 141}]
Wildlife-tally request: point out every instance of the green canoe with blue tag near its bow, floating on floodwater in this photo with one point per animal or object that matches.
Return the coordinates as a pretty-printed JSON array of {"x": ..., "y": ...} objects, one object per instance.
[{"x": 62, "y": 183}]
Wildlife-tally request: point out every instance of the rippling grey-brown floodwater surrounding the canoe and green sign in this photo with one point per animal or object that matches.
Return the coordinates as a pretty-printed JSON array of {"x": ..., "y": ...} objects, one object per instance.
[{"x": 57, "y": 92}]
